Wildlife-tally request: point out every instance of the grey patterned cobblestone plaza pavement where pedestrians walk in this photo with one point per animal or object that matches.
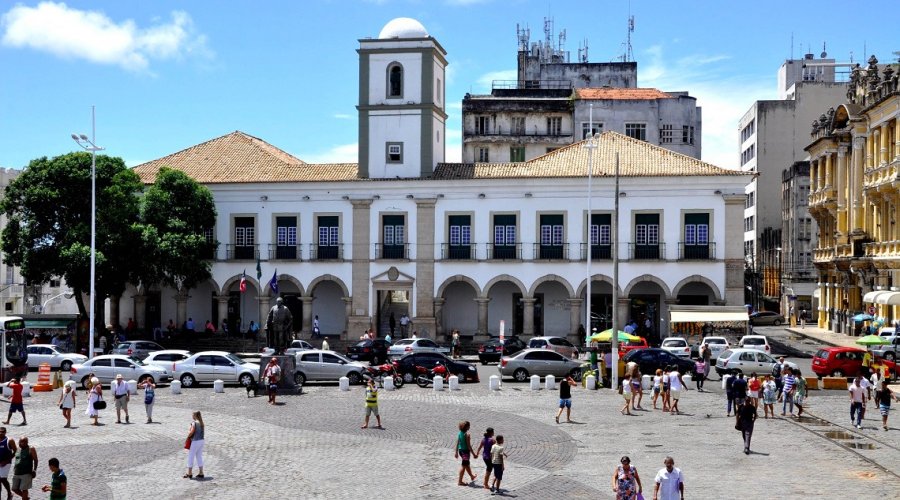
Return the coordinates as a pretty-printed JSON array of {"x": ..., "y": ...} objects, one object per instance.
[{"x": 312, "y": 446}]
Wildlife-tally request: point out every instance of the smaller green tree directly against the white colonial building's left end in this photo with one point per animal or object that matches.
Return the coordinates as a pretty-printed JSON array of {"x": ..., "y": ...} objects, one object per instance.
[{"x": 176, "y": 212}]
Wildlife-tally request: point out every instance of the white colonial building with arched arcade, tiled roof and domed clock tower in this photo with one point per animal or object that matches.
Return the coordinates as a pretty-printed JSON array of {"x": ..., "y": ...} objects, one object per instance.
[{"x": 454, "y": 245}]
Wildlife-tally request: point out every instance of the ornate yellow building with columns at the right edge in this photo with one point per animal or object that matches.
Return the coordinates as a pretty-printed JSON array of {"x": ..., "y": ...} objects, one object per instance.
[{"x": 854, "y": 197}]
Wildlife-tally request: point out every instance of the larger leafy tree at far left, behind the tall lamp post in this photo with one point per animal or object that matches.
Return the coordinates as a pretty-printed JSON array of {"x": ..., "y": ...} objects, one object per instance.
[{"x": 48, "y": 209}]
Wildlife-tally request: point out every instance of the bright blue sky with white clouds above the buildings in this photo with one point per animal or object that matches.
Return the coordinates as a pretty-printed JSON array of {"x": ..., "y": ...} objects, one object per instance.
[{"x": 166, "y": 75}]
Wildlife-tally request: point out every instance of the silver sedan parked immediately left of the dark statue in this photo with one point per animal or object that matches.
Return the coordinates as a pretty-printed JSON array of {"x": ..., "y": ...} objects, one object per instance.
[{"x": 208, "y": 366}]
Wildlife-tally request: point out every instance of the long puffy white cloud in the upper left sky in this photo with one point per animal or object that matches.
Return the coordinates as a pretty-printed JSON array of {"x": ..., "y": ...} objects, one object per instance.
[{"x": 70, "y": 33}]
